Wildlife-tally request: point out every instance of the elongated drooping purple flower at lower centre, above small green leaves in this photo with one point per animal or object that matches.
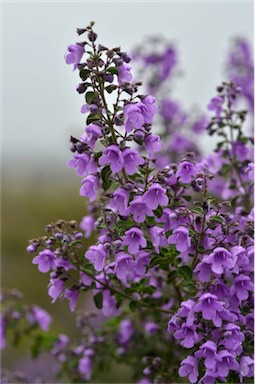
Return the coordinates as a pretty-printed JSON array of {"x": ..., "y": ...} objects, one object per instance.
[{"x": 124, "y": 267}]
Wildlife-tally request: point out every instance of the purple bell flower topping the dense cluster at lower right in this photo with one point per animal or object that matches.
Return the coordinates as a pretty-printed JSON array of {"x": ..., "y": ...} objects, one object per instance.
[{"x": 210, "y": 307}]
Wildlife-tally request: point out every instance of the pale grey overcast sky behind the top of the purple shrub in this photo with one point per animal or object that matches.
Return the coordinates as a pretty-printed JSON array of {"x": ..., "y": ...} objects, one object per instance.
[{"x": 40, "y": 105}]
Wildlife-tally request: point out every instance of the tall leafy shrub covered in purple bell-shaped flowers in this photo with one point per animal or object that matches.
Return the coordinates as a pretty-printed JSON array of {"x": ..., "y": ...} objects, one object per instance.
[{"x": 171, "y": 272}]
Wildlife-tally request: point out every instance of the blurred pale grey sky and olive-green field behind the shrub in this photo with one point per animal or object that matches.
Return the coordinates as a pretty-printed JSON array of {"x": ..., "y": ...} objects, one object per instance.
[{"x": 41, "y": 109}]
